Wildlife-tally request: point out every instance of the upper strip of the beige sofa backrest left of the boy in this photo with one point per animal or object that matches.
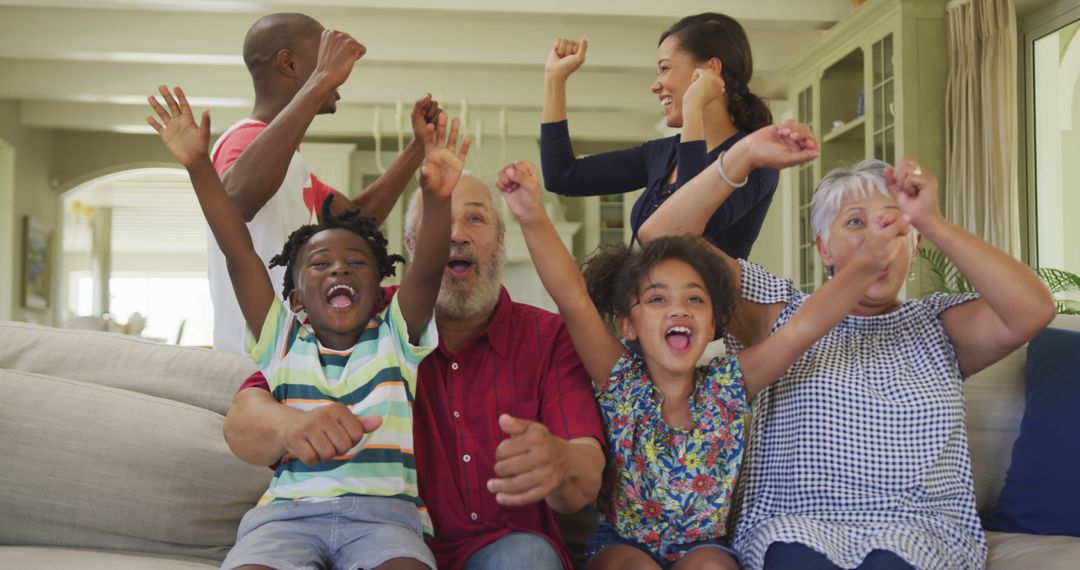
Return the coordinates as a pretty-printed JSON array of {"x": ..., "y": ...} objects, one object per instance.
[{"x": 199, "y": 377}]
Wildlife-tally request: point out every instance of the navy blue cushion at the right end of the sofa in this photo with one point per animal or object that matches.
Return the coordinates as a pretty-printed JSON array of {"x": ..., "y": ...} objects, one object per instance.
[{"x": 1042, "y": 496}]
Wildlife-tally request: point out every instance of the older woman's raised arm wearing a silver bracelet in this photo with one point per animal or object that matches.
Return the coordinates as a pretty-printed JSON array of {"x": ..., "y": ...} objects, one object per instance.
[{"x": 690, "y": 210}]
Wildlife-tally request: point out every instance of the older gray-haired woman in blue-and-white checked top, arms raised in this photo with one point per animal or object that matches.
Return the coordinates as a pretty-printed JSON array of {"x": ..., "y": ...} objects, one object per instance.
[{"x": 859, "y": 455}]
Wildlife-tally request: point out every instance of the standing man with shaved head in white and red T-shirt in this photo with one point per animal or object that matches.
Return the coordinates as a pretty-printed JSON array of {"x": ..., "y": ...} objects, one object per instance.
[{"x": 296, "y": 67}]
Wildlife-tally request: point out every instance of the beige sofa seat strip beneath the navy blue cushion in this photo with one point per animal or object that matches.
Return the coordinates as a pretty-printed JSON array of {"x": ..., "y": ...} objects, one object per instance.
[{"x": 1023, "y": 552}]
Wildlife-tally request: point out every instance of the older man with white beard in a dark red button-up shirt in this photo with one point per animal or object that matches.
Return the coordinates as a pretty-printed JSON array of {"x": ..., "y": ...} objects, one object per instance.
[{"x": 507, "y": 431}]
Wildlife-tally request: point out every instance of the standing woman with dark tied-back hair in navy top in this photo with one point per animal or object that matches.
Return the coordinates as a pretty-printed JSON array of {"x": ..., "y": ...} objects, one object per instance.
[{"x": 704, "y": 72}]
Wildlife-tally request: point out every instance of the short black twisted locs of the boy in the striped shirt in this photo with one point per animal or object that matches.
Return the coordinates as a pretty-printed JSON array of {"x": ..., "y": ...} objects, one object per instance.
[{"x": 353, "y": 221}]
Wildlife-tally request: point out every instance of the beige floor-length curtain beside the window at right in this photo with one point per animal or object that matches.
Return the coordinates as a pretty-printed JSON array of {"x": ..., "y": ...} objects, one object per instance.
[{"x": 981, "y": 148}]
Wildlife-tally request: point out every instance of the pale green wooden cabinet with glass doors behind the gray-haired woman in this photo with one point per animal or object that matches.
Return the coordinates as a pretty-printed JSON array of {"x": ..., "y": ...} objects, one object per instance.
[{"x": 872, "y": 87}]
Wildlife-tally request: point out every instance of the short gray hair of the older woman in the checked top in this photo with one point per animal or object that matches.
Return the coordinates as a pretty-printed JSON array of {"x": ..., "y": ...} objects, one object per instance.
[{"x": 865, "y": 180}]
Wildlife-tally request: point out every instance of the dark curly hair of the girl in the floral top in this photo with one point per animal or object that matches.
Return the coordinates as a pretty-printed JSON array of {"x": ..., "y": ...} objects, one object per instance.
[{"x": 615, "y": 273}]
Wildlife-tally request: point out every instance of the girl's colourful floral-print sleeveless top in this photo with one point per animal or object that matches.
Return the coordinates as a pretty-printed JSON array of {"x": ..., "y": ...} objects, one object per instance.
[{"x": 668, "y": 486}]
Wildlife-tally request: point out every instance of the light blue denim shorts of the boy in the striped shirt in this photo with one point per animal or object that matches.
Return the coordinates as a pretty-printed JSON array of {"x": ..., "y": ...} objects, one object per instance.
[{"x": 348, "y": 533}]
